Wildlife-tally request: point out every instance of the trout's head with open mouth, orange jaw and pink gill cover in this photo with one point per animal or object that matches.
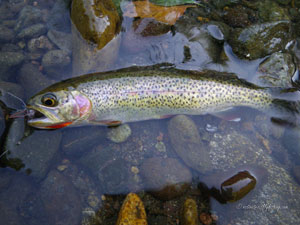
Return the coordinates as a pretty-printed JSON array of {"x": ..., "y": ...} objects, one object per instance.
[{"x": 57, "y": 109}]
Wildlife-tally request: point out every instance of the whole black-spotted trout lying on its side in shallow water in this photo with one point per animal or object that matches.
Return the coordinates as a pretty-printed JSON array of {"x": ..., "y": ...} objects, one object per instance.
[{"x": 123, "y": 96}]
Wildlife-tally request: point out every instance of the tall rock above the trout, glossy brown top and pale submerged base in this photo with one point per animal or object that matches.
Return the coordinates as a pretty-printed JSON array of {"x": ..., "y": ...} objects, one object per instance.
[{"x": 95, "y": 29}]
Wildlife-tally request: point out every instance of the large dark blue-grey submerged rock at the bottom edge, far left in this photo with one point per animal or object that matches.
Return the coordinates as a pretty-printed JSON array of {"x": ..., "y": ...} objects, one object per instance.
[{"x": 56, "y": 202}]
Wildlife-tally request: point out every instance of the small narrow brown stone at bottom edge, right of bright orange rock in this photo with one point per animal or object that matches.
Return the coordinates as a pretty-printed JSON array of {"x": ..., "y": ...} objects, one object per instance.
[{"x": 189, "y": 213}]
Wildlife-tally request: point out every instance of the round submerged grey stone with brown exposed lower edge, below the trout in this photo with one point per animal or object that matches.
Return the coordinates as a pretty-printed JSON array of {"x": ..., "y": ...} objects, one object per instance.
[{"x": 165, "y": 178}]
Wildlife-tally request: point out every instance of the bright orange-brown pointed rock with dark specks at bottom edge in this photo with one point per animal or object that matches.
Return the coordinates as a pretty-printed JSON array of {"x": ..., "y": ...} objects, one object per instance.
[{"x": 132, "y": 211}]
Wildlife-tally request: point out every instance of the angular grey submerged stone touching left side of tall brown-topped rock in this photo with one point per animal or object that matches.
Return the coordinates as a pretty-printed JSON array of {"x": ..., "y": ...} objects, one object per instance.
[{"x": 61, "y": 39}]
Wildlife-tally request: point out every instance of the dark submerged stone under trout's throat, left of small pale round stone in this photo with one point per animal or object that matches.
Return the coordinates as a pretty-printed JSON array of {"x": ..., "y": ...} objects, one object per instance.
[{"x": 81, "y": 140}]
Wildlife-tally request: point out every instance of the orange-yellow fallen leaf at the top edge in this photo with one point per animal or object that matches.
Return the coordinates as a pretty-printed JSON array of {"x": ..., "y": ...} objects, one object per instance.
[{"x": 165, "y": 14}]
